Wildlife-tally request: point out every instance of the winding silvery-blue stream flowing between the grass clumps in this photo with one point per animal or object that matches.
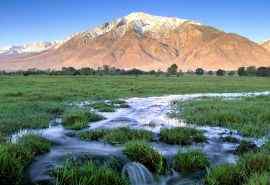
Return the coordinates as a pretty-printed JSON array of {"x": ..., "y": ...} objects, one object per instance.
[{"x": 149, "y": 113}]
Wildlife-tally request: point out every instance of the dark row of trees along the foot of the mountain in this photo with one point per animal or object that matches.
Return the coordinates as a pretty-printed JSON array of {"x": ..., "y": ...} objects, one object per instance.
[{"x": 173, "y": 70}]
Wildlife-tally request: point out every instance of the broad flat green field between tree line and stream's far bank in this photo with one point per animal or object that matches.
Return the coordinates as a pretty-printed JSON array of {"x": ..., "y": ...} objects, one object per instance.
[{"x": 31, "y": 101}]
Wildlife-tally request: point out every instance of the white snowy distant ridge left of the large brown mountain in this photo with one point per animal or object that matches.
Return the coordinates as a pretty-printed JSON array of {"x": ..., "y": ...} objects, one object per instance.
[{"x": 28, "y": 48}]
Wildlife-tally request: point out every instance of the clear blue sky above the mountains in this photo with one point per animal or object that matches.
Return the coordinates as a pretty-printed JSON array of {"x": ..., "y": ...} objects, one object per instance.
[{"x": 24, "y": 21}]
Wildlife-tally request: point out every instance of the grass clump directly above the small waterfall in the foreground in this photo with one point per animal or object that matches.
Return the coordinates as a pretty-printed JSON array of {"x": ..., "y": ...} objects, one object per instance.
[{"x": 146, "y": 155}]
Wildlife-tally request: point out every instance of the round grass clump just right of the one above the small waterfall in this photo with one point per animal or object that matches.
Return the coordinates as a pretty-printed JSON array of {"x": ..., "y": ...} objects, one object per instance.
[{"x": 190, "y": 161}]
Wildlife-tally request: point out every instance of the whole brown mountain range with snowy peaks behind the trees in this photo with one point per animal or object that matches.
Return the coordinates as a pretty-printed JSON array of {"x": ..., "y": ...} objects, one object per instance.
[{"x": 142, "y": 41}]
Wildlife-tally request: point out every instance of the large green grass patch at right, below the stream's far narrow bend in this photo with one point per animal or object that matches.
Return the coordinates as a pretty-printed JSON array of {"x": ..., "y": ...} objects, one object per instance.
[{"x": 248, "y": 115}]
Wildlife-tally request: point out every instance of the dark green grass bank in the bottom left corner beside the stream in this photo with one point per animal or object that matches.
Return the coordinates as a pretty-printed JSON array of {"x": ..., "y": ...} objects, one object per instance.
[{"x": 14, "y": 158}]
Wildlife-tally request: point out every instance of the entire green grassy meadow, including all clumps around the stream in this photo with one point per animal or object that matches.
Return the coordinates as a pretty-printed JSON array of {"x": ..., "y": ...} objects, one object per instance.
[{"x": 32, "y": 101}]
